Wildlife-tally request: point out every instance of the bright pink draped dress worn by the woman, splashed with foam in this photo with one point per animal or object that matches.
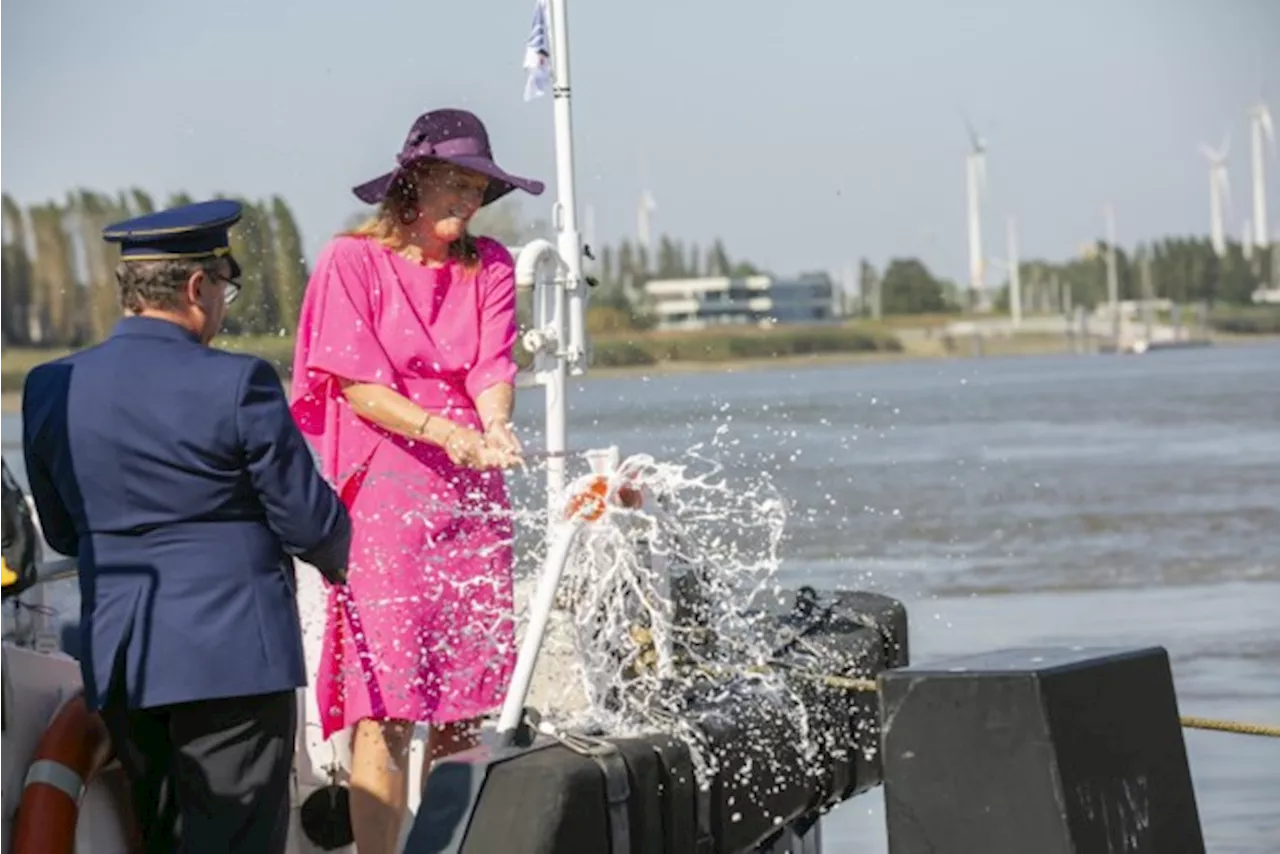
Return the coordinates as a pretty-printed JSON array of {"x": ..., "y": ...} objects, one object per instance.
[{"x": 431, "y": 573}]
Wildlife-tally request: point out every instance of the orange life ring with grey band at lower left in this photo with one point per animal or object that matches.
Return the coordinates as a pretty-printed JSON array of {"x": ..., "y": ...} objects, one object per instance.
[{"x": 71, "y": 753}]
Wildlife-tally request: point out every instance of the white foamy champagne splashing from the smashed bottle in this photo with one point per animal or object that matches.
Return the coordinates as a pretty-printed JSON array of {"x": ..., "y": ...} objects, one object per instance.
[{"x": 666, "y": 595}]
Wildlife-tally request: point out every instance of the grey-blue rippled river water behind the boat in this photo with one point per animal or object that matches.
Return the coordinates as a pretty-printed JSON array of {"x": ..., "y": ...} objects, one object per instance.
[{"x": 1058, "y": 500}]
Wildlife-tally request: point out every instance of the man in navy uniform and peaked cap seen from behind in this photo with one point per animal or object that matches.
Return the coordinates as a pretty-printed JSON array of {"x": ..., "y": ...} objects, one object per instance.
[{"x": 177, "y": 477}]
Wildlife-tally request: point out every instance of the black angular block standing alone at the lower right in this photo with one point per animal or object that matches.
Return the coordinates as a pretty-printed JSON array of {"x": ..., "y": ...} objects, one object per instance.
[{"x": 1037, "y": 751}]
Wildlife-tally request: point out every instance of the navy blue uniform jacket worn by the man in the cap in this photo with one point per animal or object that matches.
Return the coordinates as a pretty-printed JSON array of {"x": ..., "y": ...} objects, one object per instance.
[{"x": 177, "y": 477}]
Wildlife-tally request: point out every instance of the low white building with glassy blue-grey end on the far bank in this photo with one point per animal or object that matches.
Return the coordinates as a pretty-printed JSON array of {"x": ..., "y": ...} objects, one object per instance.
[{"x": 757, "y": 300}]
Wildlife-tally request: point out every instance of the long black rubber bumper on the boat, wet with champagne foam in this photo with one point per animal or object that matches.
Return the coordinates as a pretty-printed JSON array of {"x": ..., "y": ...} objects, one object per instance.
[{"x": 579, "y": 794}]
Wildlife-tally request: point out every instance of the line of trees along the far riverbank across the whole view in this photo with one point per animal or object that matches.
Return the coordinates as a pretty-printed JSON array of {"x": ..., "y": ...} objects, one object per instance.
[{"x": 58, "y": 285}]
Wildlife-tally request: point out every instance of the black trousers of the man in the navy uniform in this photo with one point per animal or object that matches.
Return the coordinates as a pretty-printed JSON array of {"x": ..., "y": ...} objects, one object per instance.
[{"x": 209, "y": 777}]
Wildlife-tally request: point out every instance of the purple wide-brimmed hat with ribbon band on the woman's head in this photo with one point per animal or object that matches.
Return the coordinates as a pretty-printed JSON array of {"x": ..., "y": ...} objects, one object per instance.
[{"x": 450, "y": 136}]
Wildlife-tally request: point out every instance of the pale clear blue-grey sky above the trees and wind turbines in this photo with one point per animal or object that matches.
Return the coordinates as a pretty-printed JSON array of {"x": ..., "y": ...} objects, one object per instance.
[{"x": 807, "y": 135}]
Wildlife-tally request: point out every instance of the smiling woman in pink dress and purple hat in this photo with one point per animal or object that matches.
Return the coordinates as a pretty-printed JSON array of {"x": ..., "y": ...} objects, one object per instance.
[{"x": 404, "y": 382}]
